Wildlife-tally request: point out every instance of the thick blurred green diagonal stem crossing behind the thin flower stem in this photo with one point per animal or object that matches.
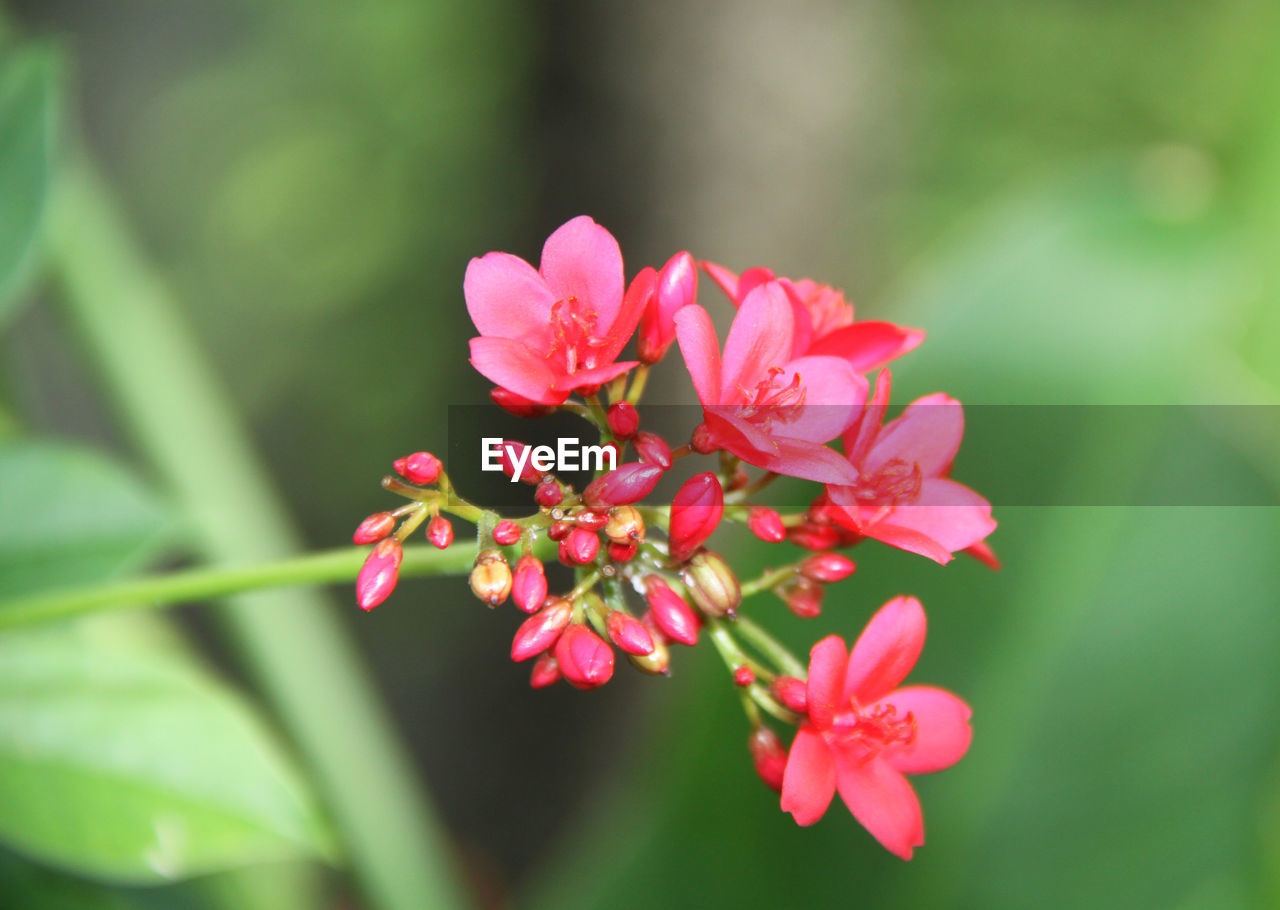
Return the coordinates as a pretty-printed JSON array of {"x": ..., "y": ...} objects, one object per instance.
[{"x": 291, "y": 642}]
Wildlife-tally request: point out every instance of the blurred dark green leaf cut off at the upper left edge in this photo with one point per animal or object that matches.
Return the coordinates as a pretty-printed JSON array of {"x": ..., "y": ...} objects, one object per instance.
[{"x": 30, "y": 107}]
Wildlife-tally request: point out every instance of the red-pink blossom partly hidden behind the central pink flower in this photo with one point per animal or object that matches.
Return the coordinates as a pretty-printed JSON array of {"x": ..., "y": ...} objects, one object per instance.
[{"x": 825, "y": 319}]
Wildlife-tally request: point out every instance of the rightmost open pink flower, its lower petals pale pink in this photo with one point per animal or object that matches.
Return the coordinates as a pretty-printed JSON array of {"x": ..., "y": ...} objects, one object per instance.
[{"x": 903, "y": 495}]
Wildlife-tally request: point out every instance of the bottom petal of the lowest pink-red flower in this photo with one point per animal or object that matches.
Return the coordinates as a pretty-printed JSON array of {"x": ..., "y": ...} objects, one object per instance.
[{"x": 883, "y": 801}]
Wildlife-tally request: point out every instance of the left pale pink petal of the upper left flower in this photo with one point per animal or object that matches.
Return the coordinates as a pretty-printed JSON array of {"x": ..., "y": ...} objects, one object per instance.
[{"x": 508, "y": 299}]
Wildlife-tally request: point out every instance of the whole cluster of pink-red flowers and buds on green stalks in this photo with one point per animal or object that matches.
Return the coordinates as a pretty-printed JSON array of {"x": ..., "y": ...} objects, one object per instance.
[{"x": 792, "y": 378}]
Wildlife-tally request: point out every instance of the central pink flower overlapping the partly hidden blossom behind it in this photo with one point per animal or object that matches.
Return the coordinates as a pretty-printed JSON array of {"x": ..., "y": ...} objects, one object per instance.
[{"x": 762, "y": 403}]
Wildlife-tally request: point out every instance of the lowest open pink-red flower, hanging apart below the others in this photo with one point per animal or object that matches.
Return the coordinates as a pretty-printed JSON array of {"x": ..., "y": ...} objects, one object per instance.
[{"x": 865, "y": 735}]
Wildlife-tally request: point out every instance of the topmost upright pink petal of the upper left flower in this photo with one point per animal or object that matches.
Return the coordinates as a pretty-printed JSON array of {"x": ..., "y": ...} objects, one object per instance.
[{"x": 583, "y": 260}]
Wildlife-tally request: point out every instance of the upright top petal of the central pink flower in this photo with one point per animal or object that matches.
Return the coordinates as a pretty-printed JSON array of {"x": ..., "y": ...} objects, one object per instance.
[{"x": 760, "y": 340}]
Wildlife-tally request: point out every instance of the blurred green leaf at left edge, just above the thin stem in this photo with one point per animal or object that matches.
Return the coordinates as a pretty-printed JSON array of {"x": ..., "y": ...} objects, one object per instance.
[{"x": 70, "y": 515}]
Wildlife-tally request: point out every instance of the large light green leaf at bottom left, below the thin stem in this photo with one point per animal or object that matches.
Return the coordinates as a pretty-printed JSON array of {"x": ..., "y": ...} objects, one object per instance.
[{"x": 135, "y": 766}]
